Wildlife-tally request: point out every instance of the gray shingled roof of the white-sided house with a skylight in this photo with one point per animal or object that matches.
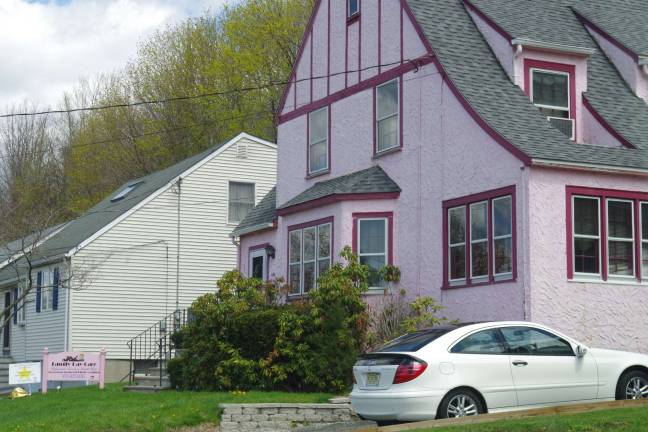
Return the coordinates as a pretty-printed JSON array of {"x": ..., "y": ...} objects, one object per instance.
[{"x": 102, "y": 214}]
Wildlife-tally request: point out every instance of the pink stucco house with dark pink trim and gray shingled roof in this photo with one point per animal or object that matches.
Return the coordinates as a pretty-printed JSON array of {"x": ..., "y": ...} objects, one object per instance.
[{"x": 496, "y": 151}]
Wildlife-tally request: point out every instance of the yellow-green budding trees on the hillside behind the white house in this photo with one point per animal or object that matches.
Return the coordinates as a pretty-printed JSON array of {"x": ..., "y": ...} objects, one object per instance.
[{"x": 84, "y": 155}]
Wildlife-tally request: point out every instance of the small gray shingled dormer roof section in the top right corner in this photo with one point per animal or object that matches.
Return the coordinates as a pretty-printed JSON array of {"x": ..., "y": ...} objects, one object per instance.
[{"x": 624, "y": 20}]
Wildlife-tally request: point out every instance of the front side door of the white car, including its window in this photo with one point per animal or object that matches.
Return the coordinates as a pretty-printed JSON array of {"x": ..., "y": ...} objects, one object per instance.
[{"x": 546, "y": 370}]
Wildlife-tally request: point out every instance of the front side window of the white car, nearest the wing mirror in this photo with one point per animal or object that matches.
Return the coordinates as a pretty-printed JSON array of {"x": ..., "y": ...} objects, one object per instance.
[{"x": 532, "y": 341}]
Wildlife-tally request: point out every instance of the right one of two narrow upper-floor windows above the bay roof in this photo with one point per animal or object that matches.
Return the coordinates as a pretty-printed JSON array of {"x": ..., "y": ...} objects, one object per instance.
[{"x": 387, "y": 116}]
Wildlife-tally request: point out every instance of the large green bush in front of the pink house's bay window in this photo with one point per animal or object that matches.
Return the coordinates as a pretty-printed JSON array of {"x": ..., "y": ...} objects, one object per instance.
[{"x": 246, "y": 336}]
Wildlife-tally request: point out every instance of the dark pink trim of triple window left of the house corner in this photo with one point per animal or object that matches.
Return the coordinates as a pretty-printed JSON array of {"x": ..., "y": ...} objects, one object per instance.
[{"x": 488, "y": 196}]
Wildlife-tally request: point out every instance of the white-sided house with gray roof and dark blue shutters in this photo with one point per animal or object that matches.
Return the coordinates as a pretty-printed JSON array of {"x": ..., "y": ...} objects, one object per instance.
[{"x": 121, "y": 258}]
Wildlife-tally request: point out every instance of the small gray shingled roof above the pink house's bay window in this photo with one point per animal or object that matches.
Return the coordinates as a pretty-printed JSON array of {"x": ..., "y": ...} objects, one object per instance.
[{"x": 370, "y": 180}]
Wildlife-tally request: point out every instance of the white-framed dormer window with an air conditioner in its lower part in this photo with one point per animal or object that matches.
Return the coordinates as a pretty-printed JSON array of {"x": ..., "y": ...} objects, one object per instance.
[{"x": 550, "y": 92}]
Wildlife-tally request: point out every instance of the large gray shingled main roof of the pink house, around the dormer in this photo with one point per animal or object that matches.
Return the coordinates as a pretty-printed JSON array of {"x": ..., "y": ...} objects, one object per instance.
[{"x": 460, "y": 47}]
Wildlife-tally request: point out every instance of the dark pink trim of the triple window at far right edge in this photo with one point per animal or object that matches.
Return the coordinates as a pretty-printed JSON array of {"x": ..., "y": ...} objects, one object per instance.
[{"x": 603, "y": 194}]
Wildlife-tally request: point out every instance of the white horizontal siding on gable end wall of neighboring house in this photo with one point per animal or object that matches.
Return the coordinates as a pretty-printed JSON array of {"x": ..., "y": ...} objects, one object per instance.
[{"x": 132, "y": 281}]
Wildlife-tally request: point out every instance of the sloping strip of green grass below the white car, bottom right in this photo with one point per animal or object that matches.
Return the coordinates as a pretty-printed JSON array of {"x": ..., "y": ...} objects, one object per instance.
[{"x": 616, "y": 420}]
